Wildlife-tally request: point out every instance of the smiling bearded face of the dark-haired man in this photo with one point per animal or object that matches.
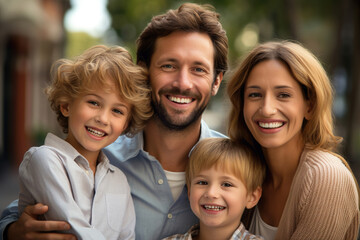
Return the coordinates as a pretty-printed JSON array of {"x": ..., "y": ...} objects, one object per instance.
[{"x": 182, "y": 78}]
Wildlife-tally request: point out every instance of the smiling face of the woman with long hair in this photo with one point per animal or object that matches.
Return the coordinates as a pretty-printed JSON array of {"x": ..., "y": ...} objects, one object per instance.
[{"x": 274, "y": 105}]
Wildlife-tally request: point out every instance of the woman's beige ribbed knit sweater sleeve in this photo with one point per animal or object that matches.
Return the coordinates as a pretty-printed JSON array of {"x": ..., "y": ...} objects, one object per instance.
[{"x": 327, "y": 202}]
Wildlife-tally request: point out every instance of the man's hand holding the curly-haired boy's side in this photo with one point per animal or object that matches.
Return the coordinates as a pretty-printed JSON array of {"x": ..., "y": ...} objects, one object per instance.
[{"x": 28, "y": 227}]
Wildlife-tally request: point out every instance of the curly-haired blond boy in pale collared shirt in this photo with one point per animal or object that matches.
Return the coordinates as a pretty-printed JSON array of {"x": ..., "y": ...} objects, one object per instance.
[{"x": 97, "y": 97}]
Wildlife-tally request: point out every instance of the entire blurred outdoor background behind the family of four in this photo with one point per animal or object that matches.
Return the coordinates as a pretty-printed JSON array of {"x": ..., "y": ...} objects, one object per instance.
[{"x": 34, "y": 33}]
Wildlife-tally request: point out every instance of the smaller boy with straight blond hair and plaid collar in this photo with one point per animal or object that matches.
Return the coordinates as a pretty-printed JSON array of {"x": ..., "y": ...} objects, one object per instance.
[{"x": 223, "y": 179}]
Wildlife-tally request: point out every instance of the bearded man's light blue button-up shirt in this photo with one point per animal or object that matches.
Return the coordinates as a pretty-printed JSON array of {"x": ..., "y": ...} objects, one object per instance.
[{"x": 157, "y": 214}]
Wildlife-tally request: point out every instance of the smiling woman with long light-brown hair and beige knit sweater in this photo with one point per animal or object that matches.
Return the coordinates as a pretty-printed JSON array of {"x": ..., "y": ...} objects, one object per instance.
[{"x": 281, "y": 104}]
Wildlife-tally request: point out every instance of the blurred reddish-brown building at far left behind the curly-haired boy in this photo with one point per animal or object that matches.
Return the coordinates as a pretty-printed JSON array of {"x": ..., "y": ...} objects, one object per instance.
[{"x": 32, "y": 36}]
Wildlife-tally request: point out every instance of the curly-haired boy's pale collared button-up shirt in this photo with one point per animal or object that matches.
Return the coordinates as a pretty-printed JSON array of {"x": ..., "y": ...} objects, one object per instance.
[{"x": 96, "y": 206}]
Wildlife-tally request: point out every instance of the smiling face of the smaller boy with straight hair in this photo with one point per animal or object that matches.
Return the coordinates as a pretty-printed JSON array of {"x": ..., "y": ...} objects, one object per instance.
[{"x": 218, "y": 198}]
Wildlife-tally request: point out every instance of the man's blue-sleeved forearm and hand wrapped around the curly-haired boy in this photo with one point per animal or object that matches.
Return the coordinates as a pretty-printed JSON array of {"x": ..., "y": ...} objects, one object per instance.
[{"x": 28, "y": 227}]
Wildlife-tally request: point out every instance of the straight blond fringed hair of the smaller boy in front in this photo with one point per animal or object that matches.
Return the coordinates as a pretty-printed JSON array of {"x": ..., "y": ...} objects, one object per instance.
[{"x": 233, "y": 158}]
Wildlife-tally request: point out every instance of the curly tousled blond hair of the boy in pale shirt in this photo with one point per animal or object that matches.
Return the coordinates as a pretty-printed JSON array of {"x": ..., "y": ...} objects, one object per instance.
[{"x": 91, "y": 70}]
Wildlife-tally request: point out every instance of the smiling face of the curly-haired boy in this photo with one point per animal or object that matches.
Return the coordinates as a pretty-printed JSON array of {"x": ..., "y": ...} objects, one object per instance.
[{"x": 96, "y": 119}]
